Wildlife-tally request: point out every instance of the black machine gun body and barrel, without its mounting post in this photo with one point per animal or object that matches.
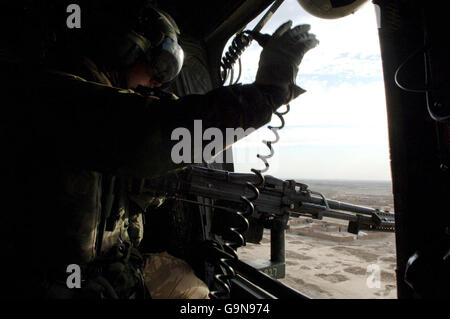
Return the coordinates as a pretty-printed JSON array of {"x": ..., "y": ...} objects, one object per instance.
[{"x": 277, "y": 198}]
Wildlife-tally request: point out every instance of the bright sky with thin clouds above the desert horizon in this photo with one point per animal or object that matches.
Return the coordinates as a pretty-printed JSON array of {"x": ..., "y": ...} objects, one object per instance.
[{"x": 338, "y": 128}]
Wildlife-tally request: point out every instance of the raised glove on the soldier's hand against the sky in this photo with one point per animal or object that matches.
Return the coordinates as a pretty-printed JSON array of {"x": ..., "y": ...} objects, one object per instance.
[{"x": 281, "y": 55}]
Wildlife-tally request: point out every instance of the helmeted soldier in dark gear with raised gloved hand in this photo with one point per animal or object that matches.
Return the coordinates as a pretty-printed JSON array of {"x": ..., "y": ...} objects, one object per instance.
[{"x": 76, "y": 141}]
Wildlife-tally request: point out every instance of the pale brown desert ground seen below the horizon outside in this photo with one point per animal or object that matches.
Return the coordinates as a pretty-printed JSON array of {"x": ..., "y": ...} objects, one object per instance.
[{"x": 323, "y": 260}]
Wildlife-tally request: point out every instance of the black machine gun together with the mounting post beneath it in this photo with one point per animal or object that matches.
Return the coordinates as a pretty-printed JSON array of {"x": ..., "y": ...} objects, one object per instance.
[{"x": 277, "y": 201}]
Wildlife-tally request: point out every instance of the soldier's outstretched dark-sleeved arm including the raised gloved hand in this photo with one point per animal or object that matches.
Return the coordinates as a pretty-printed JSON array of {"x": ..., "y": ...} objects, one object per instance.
[{"x": 64, "y": 119}]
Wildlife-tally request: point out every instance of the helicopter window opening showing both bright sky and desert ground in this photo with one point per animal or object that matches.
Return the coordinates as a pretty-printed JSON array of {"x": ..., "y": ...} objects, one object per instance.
[{"x": 335, "y": 140}]
